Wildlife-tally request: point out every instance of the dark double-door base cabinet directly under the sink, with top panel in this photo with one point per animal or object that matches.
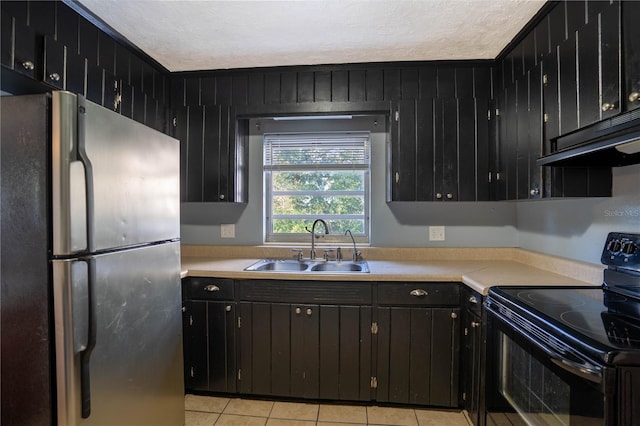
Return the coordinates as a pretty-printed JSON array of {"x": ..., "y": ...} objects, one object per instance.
[{"x": 305, "y": 339}]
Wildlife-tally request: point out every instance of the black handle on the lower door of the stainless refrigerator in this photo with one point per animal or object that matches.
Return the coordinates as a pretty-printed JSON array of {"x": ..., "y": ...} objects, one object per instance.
[{"x": 85, "y": 355}]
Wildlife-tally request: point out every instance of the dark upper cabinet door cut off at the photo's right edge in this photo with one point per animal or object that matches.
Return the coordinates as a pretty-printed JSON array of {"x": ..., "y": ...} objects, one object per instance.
[{"x": 631, "y": 42}]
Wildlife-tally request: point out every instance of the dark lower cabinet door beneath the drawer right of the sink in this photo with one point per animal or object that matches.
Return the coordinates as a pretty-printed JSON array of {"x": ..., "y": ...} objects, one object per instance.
[{"x": 418, "y": 356}]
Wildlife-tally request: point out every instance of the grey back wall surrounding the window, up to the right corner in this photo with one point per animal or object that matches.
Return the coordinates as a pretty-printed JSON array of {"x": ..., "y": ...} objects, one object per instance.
[{"x": 468, "y": 224}]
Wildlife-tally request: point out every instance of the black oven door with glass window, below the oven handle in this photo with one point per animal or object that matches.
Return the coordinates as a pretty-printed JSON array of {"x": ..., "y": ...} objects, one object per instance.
[{"x": 528, "y": 384}]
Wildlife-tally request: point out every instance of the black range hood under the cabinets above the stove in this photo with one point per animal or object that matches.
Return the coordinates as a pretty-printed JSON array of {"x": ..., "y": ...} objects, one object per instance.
[{"x": 611, "y": 142}]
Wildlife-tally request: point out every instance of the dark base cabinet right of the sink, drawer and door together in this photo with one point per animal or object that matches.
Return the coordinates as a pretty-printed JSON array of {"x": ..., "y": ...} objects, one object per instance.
[{"x": 418, "y": 350}]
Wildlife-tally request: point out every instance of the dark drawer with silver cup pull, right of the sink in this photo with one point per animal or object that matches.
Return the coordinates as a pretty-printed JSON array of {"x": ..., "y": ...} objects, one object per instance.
[{"x": 425, "y": 294}]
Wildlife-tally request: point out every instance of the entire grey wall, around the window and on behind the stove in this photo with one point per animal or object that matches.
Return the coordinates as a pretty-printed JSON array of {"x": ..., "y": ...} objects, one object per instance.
[{"x": 571, "y": 228}]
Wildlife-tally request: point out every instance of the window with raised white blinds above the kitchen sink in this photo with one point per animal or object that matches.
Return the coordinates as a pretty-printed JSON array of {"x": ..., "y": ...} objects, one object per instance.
[{"x": 312, "y": 176}]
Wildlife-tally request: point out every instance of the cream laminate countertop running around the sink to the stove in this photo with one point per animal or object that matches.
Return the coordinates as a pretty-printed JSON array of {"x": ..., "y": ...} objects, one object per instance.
[{"x": 477, "y": 273}]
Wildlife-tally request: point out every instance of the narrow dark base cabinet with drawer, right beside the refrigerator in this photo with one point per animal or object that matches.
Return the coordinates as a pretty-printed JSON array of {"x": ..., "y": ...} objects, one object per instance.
[{"x": 209, "y": 334}]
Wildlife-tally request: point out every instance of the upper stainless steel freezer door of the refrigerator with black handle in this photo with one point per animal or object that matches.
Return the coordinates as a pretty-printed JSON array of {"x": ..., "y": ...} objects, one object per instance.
[{"x": 116, "y": 182}]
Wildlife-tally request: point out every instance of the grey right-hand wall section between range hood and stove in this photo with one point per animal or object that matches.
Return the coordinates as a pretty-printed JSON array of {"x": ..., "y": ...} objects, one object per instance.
[{"x": 577, "y": 228}]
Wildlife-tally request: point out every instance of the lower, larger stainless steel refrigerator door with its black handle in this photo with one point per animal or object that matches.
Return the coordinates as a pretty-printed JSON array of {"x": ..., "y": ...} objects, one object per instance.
[{"x": 118, "y": 316}]
